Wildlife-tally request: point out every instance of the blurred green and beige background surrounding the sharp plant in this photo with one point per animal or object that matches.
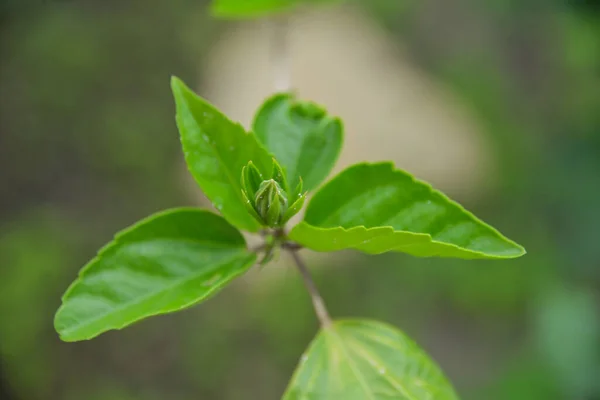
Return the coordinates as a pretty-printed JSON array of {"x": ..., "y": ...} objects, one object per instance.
[{"x": 495, "y": 102}]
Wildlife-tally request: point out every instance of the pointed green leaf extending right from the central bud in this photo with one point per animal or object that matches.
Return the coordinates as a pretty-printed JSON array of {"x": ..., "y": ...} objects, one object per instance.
[{"x": 375, "y": 208}]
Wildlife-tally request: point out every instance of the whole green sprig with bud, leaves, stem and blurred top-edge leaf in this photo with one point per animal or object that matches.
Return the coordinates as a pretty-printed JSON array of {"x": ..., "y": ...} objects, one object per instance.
[{"x": 258, "y": 181}]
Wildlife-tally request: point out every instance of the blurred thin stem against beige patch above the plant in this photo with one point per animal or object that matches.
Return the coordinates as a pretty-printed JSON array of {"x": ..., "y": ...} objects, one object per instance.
[{"x": 280, "y": 56}]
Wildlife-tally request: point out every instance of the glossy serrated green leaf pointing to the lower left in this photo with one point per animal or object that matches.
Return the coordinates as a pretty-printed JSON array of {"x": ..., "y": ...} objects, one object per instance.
[{"x": 164, "y": 263}]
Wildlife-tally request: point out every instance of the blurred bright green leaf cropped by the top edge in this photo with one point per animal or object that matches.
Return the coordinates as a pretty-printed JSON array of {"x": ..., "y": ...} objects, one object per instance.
[{"x": 257, "y": 8}]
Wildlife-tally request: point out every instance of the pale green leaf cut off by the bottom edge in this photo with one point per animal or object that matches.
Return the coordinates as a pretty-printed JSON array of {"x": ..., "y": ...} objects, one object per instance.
[{"x": 366, "y": 360}]
